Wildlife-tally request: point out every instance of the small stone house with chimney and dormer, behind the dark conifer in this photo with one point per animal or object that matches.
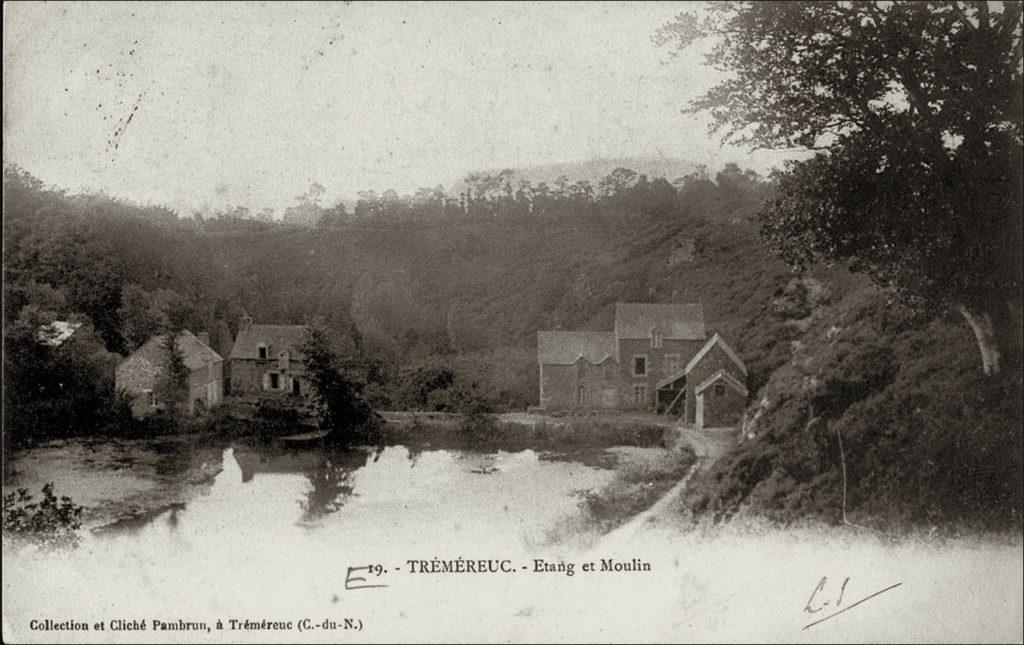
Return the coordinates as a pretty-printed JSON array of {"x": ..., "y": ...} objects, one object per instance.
[{"x": 267, "y": 361}]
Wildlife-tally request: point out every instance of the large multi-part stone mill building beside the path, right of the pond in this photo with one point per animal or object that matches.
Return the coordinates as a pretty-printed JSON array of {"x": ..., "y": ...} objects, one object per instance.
[{"x": 657, "y": 359}]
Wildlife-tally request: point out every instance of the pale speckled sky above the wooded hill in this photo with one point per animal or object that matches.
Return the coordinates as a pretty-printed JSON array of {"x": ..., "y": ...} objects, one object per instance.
[{"x": 208, "y": 105}]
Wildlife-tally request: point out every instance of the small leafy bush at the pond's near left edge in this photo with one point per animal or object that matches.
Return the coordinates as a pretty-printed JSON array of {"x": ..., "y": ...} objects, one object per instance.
[{"x": 51, "y": 523}]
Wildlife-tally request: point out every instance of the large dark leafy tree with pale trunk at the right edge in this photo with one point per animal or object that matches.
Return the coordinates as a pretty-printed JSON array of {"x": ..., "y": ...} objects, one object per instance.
[{"x": 912, "y": 114}]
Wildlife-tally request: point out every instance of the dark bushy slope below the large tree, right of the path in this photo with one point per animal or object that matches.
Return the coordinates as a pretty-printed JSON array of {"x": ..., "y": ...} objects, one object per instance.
[{"x": 928, "y": 442}]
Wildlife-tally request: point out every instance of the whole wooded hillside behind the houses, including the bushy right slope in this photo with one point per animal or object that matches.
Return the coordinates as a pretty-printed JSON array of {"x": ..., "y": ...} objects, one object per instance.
[{"x": 442, "y": 315}]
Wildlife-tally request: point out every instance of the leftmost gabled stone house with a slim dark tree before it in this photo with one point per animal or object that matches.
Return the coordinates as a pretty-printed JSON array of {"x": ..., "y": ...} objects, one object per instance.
[{"x": 140, "y": 374}]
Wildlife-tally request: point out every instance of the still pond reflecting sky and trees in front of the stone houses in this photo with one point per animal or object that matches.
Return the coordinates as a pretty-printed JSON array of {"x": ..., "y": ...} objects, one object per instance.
[{"x": 172, "y": 491}]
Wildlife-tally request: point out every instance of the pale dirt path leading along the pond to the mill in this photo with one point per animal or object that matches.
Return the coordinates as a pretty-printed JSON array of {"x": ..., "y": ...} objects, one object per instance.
[{"x": 709, "y": 445}]
